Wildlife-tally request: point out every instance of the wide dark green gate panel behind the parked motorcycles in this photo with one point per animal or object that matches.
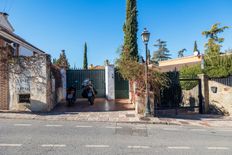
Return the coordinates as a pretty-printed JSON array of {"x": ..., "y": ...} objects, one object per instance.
[{"x": 76, "y": 77}]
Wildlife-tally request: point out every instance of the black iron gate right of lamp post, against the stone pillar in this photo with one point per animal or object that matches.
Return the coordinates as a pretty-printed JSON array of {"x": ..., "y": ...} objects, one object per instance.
[{"x": 180, "y": 99}]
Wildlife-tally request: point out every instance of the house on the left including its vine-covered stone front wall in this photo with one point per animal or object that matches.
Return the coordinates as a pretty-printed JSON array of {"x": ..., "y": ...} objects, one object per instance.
[{"x": 28, "y": 80}]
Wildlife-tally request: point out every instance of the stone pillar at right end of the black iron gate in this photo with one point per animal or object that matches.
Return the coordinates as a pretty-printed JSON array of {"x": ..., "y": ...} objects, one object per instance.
[{"x": 204, "y": 92}]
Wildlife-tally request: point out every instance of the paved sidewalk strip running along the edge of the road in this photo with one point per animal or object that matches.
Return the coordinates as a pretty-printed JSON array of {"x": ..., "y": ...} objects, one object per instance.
[{"x": 126, "y": 117}]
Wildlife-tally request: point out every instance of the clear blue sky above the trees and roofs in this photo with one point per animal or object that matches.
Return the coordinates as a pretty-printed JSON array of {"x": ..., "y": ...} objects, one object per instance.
[{"x": 53, "y": 25}]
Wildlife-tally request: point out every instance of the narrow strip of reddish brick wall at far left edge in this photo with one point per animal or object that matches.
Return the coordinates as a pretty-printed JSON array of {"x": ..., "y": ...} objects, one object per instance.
[{"x": 4, "y": 87}]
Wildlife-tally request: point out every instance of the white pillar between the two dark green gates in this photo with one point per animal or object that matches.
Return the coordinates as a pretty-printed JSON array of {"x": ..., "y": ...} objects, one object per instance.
[{"x": 110, "y": 82}]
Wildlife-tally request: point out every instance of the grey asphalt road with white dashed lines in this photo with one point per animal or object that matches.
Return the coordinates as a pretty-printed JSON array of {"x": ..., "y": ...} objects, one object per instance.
[{"x": 33, "y": 137}]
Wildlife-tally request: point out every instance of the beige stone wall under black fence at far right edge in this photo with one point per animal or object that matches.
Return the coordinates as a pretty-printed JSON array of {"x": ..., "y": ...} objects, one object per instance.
[{"x": 221, "y": 100}]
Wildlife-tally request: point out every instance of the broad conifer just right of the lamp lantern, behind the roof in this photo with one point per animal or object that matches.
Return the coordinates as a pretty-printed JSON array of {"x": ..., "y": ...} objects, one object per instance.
[{"x": 162, "y": 53}]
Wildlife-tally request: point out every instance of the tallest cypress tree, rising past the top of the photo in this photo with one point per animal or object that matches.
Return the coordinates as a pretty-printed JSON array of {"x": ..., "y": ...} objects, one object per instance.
[{"x": 130, "y": 29}]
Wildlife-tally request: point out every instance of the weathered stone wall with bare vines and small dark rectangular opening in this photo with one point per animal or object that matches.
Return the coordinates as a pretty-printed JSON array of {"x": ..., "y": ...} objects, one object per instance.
[{"x": 30, "y": 76}]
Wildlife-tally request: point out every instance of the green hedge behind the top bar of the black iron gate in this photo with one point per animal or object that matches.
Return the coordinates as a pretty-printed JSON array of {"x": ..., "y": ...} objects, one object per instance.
[{"x": 189, "y": 72}]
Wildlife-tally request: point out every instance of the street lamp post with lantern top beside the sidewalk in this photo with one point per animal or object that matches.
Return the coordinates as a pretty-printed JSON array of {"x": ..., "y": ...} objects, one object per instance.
[{"x": 145, "y": 37}]
